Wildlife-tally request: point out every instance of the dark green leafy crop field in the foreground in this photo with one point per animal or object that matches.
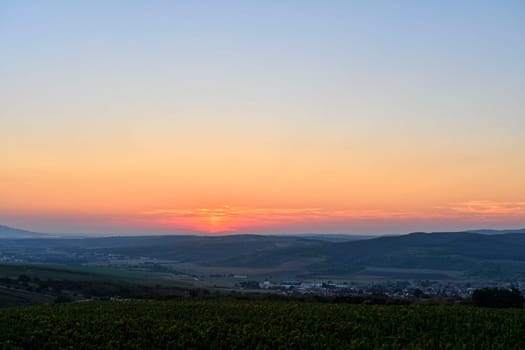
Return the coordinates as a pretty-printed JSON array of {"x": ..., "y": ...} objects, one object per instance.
[{"x": 244, "y": 324}]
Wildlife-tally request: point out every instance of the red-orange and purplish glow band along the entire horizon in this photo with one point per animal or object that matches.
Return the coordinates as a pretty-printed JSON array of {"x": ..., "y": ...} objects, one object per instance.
[{"x": 230, "y": 219}]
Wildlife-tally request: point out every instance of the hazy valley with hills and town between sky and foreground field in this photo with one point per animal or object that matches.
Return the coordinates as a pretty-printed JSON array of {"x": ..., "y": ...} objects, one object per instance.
[{"x": 435, "y": 265}]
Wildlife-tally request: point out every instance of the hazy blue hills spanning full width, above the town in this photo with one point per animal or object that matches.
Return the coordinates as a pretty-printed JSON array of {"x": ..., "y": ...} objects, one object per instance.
[{"x": 445, "y": 255}]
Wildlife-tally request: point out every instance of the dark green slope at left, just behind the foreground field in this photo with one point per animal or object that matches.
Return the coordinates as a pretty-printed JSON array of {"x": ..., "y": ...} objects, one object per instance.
[{"x": 48, "y": 282}]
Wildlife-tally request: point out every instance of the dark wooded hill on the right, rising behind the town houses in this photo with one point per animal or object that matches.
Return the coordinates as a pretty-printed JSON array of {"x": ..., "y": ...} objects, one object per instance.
[{"x": 417, "y": 255}]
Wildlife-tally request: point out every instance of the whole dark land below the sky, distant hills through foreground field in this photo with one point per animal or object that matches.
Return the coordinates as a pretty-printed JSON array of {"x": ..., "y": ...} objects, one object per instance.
[{"x": 180, "y": 292}]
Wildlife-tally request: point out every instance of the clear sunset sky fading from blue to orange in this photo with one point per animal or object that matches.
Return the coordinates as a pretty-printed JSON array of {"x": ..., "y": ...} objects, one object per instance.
[{"x": 362, "y": 117}]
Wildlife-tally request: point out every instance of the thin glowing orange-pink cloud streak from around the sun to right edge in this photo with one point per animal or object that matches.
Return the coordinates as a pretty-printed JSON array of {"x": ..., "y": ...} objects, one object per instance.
[{"x": 235, "y": 219}]
